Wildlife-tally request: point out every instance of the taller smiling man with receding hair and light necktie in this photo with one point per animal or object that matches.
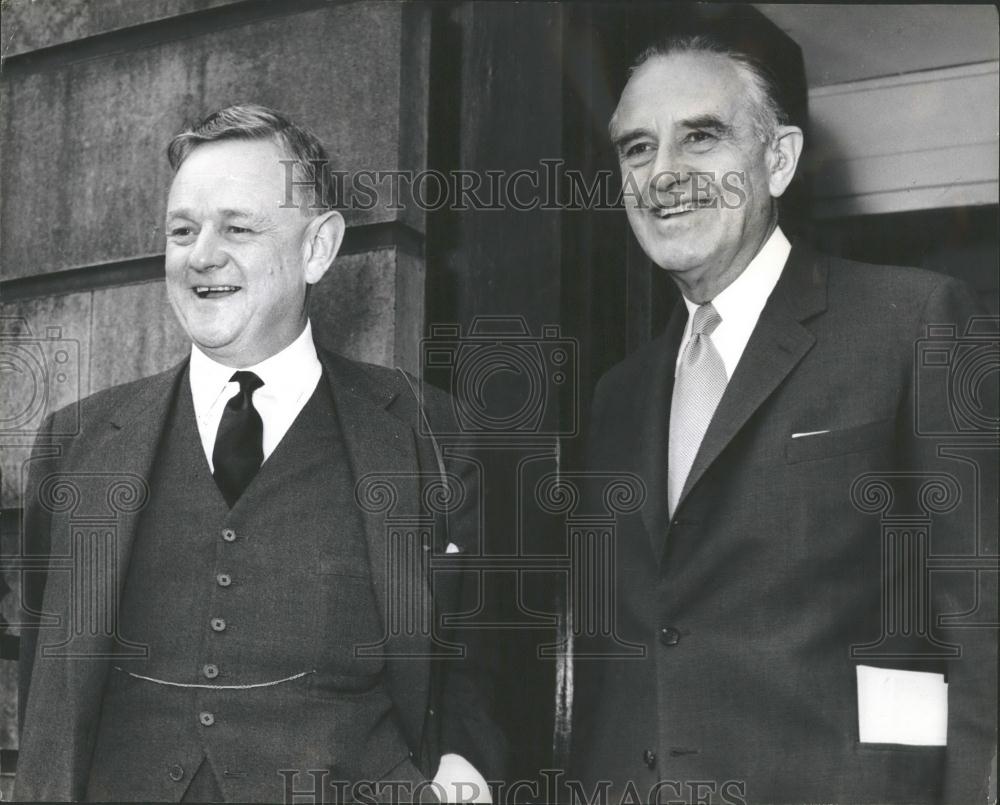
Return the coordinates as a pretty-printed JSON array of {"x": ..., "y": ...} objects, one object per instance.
[{"x": 756, "y": 576}]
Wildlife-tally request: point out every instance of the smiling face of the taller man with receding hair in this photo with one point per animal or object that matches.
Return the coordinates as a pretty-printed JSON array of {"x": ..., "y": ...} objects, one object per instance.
[{"x": 695, "y": 173}]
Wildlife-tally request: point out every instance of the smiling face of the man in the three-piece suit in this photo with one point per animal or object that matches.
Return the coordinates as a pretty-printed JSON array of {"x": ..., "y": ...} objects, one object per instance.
[{"x": 235, "y": 258}]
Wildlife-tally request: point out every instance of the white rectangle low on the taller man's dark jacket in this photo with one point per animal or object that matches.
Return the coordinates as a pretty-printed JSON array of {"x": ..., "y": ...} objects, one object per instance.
[{"x": 902, "y": 707}]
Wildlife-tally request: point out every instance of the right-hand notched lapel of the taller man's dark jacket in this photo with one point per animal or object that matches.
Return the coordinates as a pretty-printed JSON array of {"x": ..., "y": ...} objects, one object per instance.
[{"x": 777, "y": 344}]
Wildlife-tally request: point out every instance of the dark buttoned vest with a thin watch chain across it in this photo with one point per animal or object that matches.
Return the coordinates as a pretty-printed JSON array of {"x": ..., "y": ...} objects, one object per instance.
[{"x": 251, "y": 617}]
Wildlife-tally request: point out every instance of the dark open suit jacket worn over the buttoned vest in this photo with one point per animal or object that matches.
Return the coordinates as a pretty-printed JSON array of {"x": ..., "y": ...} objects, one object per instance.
[{"x": 442, "y": 706}]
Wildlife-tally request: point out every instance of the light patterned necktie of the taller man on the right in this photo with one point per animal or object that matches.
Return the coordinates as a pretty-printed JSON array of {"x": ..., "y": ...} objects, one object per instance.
[{"x": 698, "y": 387}]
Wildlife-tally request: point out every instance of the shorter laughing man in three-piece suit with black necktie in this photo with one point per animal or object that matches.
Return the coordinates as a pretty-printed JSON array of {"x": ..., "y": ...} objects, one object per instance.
[{"x": 246, "y": 580}]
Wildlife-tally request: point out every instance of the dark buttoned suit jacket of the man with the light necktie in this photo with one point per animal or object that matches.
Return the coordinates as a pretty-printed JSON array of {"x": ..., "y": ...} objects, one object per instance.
[{"x": 756, "y": 601}]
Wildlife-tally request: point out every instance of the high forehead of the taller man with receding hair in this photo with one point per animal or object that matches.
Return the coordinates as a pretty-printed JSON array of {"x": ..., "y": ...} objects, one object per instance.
[{"x": 680, "y": 86}]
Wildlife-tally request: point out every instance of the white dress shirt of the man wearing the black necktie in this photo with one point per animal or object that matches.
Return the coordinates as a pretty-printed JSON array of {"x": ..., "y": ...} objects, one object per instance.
[{"x": 290, "y": 377}]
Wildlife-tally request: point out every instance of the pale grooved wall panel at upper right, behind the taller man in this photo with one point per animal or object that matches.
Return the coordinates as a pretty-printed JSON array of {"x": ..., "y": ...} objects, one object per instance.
[{"x": 923, "y": 140}]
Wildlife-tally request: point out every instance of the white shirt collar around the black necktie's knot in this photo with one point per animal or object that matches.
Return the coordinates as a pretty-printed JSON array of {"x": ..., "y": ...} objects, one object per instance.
[{"x": 285, "y": 374}]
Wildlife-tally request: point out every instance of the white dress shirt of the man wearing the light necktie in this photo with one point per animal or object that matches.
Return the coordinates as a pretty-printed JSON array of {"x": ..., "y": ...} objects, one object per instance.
[{"x": 740, "y": 303}]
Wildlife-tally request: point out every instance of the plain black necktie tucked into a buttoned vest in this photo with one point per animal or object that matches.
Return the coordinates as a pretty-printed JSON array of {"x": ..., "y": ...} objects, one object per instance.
[{"x": 239, "y": 449}]
